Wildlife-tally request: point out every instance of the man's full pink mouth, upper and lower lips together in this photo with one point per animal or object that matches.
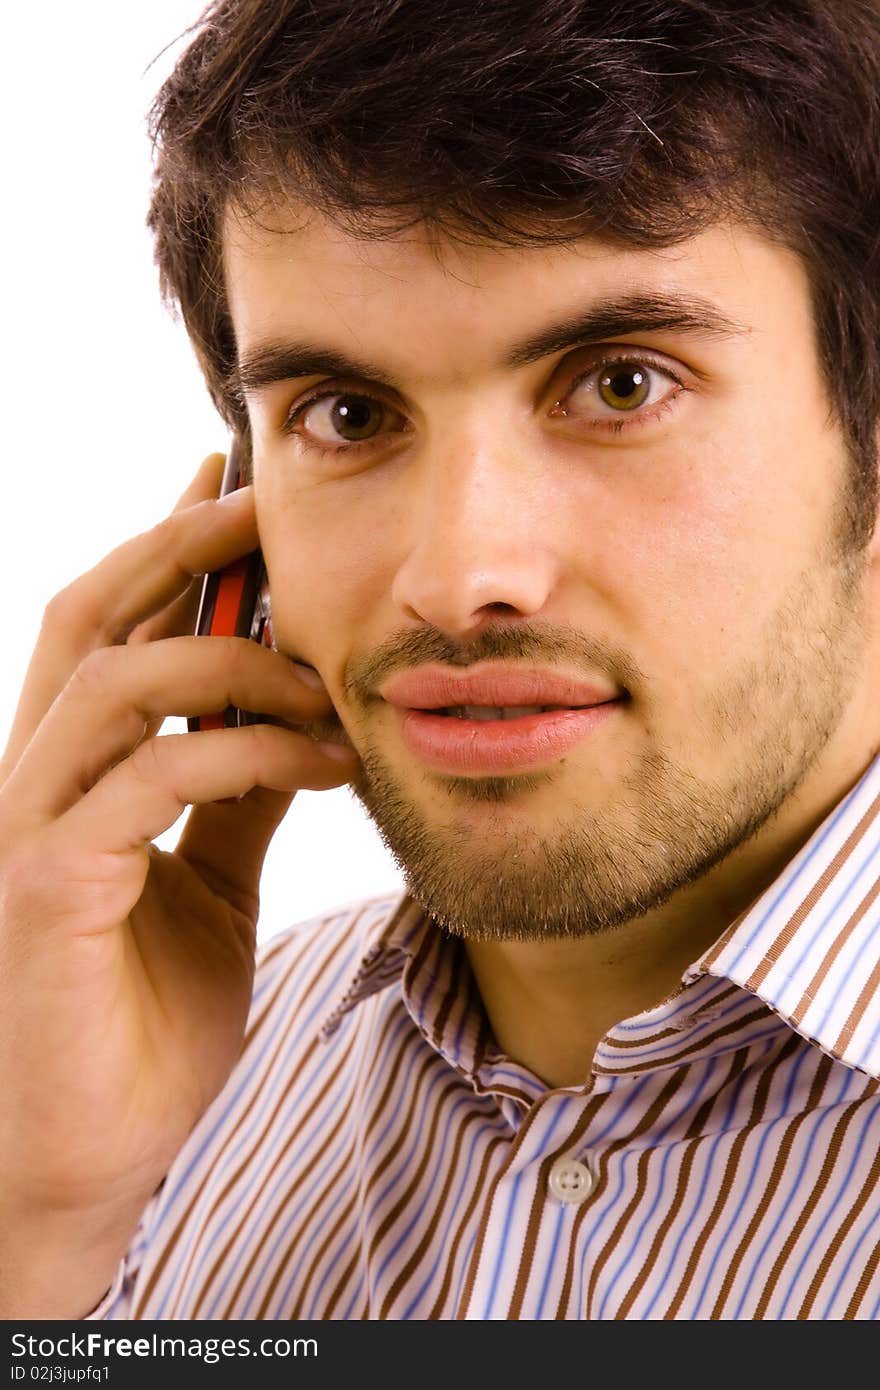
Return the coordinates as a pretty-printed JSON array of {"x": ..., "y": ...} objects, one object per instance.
[{"x": 453, "y": 746}]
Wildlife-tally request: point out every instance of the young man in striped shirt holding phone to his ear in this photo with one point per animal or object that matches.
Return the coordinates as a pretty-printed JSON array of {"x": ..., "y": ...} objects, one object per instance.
[{"x": 550, "y": 334}]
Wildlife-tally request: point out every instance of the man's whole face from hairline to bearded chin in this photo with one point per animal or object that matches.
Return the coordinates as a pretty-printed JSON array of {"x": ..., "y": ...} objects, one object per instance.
[{"x": 650, "y": 509}]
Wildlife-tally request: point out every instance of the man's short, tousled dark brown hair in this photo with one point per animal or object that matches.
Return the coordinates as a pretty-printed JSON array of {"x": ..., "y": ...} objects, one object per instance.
[{"x": 539, "y": 122}]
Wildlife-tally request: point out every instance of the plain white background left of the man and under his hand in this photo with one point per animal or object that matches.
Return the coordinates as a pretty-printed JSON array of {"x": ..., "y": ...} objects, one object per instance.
[{"x": 106, "y": 416}]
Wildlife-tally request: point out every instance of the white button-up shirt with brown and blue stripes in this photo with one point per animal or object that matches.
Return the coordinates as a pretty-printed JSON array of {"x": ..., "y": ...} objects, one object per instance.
[{"x": 376, "y": 1157}]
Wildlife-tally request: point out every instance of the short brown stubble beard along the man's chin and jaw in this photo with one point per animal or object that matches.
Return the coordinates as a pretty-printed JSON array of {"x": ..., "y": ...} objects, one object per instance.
[{"x": 665, "y": 826}]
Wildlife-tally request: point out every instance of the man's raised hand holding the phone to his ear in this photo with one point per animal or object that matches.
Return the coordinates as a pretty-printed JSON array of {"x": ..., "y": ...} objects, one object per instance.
[{"x": 126, "y": 972}]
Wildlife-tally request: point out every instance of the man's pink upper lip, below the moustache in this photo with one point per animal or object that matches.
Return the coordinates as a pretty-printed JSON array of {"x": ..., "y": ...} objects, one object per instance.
[{"x": 437, "y": 687}]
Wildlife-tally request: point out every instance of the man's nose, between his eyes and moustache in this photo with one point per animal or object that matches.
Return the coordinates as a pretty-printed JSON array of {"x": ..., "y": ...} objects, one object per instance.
[{"x": 478, "y": 539}]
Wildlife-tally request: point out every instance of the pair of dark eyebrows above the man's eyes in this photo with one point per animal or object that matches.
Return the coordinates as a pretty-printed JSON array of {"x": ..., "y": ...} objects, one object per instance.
[{"x": 272, "y": 362}]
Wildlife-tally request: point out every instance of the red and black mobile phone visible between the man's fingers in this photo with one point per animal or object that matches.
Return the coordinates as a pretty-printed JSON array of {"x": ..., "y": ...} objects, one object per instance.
[{"x": 234, "y": 603}]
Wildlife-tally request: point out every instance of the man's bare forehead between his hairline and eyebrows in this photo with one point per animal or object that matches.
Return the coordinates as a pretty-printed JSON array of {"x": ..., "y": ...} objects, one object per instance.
[{"x": 429, "y": 305}]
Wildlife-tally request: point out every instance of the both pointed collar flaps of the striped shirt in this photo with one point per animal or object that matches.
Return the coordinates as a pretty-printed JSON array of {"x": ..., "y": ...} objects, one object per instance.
[{"x": 808, "y": 947}]
